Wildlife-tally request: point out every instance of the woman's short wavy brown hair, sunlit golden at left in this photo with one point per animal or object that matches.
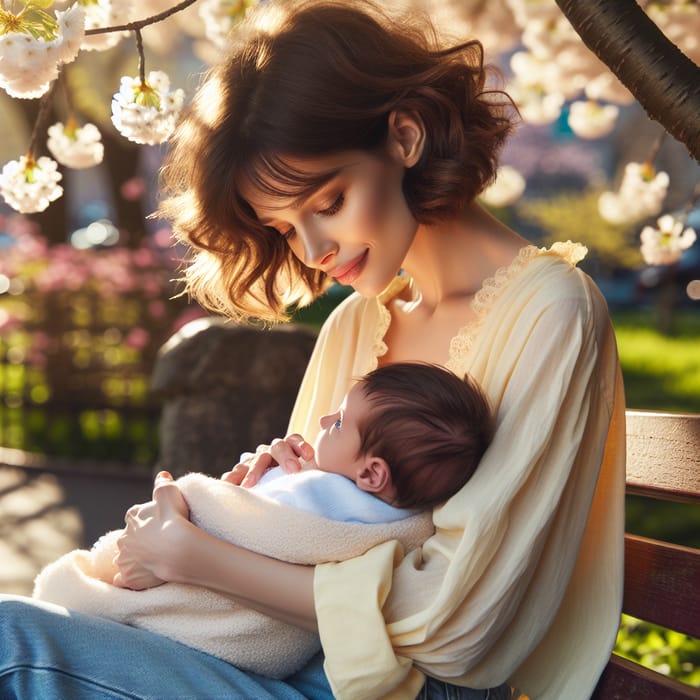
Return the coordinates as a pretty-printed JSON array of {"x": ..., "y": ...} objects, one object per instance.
[{"x": 323, "y": 81}]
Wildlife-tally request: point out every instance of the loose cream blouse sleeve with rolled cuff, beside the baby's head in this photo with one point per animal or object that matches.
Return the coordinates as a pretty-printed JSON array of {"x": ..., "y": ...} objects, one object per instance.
[{"x": 487, "y": 588}]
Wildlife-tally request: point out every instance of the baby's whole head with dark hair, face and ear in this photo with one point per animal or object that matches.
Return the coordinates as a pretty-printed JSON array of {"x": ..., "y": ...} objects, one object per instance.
[{"x": 410, "y": 433}]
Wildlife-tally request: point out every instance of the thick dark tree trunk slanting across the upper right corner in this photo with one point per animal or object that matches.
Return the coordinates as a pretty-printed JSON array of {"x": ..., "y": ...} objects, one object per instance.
[{"x": 662, "y": 78}]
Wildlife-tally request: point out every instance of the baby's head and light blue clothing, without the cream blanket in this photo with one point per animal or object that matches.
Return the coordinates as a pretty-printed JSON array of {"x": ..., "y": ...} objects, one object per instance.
[{"x": 409, "y": 434}]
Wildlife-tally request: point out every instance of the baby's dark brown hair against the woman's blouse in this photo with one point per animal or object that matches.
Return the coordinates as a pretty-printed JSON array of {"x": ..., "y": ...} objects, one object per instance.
[{"x": 430, "y": 426}]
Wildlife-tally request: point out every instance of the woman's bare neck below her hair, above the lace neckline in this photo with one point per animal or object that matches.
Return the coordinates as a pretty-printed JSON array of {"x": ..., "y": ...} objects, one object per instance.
[{"x": 450, "y": 260}]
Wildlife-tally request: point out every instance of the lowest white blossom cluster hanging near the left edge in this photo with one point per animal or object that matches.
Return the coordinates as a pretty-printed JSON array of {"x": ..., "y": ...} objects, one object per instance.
[{"x": 30, "y": 185}]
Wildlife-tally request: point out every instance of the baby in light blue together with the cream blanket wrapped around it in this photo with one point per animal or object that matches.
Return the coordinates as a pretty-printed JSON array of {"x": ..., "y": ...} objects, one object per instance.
[{"x": 406, "y": 437}]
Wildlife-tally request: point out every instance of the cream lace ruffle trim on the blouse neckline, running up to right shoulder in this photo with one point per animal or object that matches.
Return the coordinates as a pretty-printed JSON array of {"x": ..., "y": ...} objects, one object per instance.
[{"x": 492, "y": 288}]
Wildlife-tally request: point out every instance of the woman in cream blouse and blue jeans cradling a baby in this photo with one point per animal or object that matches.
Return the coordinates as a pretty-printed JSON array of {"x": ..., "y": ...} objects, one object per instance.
[{"x": 340, "y": 144}]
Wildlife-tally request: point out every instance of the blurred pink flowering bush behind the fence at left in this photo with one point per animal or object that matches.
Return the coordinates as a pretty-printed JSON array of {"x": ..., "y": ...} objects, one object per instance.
[{"x": 79, "y": 331}]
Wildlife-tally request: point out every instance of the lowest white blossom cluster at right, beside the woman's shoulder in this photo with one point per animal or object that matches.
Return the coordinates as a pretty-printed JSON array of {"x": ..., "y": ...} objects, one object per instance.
[{"x": 641, "y": 195}]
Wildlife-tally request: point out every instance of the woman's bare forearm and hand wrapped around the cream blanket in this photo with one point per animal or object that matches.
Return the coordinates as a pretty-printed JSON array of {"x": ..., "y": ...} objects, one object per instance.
[{"x": 160, "y": 544}]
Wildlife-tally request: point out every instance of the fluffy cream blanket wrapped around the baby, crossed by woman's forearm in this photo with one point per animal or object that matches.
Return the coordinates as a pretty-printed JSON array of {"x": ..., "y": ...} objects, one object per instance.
[{"x": 207, "y": 620}]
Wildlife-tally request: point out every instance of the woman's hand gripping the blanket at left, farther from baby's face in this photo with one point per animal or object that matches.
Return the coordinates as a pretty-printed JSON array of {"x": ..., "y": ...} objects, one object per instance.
[{"x": 150, "y": 542}]
